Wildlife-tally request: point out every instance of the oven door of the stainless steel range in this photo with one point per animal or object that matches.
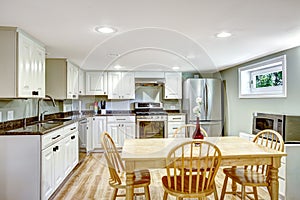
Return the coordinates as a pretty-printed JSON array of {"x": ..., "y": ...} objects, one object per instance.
[{"x": 151, "y": 128}]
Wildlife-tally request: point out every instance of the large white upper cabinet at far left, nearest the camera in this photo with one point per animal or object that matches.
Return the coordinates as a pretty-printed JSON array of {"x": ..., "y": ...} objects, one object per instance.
[{"x": 22, "y": 63}]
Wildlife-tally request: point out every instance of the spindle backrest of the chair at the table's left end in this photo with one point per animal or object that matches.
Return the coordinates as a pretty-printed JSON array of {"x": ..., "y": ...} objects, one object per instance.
[{"x": 113, "y": 158}]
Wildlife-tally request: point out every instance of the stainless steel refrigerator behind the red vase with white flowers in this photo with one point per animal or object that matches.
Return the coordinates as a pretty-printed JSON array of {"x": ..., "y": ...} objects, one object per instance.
[{"x": 211, "y": 92}]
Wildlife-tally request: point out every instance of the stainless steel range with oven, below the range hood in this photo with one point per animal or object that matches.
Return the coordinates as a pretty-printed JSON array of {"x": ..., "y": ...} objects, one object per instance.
[{"x": 151, "y": 120}]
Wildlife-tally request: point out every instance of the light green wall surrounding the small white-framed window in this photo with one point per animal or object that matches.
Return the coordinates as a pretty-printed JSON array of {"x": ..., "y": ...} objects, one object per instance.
[{"x": 239, "y": 111}]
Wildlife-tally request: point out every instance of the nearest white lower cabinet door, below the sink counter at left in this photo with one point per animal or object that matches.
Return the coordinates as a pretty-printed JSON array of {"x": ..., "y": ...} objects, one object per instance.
[{"x": 47, "y": 183}]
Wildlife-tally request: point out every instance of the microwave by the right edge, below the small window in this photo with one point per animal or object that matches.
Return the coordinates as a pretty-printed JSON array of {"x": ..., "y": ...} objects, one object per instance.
[{"x": 288, "y": 126}]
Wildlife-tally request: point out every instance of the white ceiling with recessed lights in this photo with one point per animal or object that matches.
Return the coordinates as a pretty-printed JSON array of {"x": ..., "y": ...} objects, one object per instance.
[{"x": 159, "y": 34}]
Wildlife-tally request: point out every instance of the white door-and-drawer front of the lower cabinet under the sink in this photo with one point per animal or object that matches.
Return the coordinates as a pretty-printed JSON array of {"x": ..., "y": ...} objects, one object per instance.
[{"x": 59, "y": 159}]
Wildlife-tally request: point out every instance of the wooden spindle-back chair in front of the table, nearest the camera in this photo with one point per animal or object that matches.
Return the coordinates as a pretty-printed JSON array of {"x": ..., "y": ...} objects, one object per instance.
[{"x": 203, "y": 156}]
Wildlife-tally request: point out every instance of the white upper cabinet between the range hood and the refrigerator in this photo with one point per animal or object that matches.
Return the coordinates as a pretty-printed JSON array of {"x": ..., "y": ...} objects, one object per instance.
[{"x": 173, "y": 85}]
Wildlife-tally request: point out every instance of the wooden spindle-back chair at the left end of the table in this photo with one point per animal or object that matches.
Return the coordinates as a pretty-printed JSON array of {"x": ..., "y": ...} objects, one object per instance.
[{"x": 116, "y": 170}]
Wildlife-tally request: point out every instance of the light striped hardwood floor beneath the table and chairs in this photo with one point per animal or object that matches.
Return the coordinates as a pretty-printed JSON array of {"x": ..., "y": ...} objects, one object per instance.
[{"x": 89, "y": 180}]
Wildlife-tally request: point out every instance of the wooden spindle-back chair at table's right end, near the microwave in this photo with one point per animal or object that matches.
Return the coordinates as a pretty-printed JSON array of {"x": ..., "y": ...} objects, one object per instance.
[{"x": 254, "y": 176}]
